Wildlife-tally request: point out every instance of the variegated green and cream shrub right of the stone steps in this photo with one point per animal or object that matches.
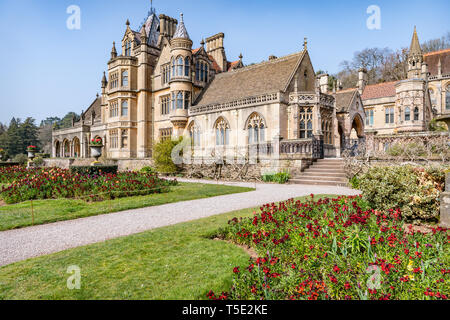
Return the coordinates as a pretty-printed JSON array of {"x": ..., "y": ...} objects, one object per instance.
[{"x": 414, "y": 190}]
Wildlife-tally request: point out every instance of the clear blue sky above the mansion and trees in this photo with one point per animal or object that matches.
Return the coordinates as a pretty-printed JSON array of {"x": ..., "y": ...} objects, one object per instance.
[{"x": 49, "y": 70}]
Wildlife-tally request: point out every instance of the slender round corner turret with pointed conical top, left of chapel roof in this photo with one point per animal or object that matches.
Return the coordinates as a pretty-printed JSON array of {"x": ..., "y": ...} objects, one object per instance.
[{"x": 181, "y": 86}]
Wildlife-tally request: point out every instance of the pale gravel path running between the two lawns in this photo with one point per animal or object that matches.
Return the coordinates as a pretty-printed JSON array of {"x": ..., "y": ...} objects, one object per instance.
[{"x": 22, "y": 244}]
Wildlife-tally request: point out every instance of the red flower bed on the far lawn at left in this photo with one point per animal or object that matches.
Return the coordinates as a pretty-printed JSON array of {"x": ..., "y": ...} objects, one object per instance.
[{"x": 46, "y": 183}]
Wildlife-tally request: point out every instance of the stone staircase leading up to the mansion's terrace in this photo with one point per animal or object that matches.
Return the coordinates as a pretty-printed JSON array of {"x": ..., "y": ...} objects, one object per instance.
[{"x": 326, "y": 172}]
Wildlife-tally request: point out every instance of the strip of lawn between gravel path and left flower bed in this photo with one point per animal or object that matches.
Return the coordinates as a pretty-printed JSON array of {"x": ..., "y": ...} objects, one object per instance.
[{"x": 47, "y": 211}]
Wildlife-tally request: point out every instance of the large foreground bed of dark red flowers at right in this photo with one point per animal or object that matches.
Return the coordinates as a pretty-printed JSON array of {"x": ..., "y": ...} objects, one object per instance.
[{"x": 337, "y": 249}]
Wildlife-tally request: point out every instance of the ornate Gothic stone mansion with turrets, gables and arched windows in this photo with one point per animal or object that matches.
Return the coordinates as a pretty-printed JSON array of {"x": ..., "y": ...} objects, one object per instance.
[{"x": 161, "y": 87}]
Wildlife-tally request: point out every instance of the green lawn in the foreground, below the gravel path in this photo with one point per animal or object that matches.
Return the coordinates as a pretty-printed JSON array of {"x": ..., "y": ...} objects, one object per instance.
[{"x": 178, "y": 262}]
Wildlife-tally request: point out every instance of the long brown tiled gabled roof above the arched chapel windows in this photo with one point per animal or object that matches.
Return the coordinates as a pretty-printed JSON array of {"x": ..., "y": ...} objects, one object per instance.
[{"x": 267, "y": 77}]
